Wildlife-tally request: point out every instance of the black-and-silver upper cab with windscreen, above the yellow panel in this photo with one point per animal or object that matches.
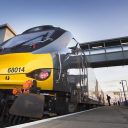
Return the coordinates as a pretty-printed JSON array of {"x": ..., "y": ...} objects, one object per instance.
[{"x": 36, "y": 40}]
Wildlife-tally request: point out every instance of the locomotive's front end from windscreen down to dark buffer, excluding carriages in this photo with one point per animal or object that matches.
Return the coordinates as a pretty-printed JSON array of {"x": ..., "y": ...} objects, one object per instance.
[{"x": 33, "y": 56}]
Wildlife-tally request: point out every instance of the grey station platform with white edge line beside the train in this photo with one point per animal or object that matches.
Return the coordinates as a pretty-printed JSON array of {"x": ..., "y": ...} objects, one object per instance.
[{"x": 102, "y": 117}]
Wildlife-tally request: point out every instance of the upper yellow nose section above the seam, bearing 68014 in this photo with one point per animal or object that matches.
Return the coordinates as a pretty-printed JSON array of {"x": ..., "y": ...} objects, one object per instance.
[{"x": 24, "y": 62}]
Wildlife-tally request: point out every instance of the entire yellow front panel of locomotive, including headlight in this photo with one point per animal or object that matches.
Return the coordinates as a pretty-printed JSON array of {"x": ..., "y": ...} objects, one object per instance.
[{"x": 17, "y": 68}]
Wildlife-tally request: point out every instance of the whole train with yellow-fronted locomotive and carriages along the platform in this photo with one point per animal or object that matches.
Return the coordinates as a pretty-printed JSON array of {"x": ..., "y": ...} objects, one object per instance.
[{"x": 44, "y": 70}]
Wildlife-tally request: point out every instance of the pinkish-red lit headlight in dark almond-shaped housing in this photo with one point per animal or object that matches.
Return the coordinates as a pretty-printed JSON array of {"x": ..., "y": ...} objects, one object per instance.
[{"x": 39, "y": 74}]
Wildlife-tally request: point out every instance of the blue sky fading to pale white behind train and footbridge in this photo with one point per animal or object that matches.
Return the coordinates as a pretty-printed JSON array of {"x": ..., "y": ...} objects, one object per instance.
[{"x": 87, "y": 20}]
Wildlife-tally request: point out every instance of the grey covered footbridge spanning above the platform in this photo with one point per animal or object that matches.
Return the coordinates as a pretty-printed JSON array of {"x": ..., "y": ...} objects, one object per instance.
[{"x": 105, "y": 53}]
